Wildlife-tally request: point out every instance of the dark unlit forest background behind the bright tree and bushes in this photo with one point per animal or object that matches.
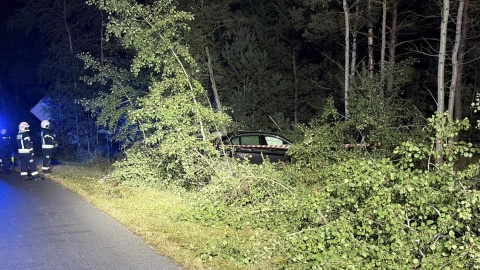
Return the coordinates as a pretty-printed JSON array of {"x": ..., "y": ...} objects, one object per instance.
[{"x": 270, "y": 65}]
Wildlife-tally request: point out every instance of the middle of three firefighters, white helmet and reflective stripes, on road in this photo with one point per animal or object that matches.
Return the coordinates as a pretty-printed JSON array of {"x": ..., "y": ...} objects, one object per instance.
[{"x": 28, "y": 169}]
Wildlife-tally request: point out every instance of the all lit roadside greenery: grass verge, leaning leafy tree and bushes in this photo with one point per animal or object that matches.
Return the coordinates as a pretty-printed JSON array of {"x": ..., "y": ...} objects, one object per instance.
[{"x": 408, "y": 204}]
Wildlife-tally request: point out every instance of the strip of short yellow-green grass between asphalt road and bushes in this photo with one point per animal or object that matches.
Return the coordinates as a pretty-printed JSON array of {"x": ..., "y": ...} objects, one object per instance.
[{"x": 155, "y": 216}]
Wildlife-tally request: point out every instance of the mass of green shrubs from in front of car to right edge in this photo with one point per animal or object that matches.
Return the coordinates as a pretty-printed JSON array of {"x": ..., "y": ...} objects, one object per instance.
[{"x": 353, "y": 210}]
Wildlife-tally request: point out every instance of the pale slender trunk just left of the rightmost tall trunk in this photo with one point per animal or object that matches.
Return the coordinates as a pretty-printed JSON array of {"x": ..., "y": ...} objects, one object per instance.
[{"x": 441, "y": 74}]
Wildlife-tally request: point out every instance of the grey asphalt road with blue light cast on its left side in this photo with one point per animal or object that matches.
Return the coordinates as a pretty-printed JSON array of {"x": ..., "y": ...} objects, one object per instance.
[{"x": 46, "y": 226}]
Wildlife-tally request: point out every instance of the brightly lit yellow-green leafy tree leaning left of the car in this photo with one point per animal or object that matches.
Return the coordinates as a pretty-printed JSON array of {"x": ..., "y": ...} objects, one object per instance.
[{"x": 174, "y": 116}]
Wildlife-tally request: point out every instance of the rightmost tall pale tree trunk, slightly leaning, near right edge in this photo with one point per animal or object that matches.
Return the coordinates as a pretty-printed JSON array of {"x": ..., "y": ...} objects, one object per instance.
[{"x": 456, "y": 76}]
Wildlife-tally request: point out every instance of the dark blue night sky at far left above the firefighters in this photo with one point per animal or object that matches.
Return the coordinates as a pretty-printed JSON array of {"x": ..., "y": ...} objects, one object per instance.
[{"x": 20, "y": 89}]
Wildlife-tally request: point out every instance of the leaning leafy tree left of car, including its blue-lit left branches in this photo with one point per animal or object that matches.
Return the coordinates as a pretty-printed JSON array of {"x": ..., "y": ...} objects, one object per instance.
[{"x": 166, "y": 122}]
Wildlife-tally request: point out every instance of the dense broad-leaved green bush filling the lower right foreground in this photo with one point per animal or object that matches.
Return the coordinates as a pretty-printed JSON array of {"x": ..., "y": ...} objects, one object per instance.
[{"x": 377, "y": 213}]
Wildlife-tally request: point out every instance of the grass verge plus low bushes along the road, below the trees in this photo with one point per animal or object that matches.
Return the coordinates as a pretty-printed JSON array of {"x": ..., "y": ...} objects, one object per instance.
[{"x": 329, "y": 209}]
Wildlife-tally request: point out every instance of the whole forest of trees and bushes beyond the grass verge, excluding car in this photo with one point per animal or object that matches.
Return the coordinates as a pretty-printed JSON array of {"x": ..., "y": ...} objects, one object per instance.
[{"x": 150, "y": 84}]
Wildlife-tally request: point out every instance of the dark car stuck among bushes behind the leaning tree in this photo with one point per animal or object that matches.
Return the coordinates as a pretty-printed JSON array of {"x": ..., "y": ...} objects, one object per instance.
[{"x": 257, "y": 146}]
